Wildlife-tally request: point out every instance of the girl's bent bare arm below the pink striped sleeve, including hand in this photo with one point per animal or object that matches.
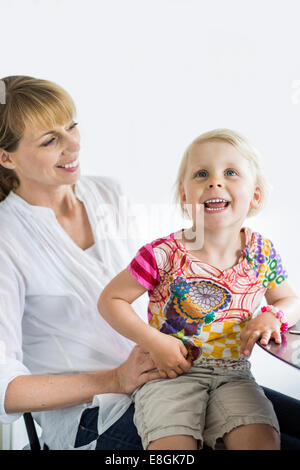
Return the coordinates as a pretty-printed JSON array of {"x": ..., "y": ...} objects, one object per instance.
[{"x": 167, "y": 352}]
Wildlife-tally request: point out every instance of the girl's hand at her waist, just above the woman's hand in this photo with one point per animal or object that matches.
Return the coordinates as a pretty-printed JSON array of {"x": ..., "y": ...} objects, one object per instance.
[{"x": 168, "y": 354}]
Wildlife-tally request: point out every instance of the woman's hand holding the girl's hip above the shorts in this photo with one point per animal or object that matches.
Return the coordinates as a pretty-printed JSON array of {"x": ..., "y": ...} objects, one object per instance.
[{"x": 135, "y": 371}]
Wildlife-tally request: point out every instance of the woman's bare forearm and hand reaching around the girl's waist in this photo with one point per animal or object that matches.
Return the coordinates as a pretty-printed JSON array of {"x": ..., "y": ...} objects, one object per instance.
[{"x": 29, "y": 393}]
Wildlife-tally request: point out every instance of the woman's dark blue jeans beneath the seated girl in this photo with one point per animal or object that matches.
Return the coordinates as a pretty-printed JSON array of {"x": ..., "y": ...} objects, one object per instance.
[{"x": 122, "y": 435}]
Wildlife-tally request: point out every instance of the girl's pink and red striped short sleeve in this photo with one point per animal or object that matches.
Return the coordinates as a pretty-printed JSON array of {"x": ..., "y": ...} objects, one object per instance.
[{"x": 144, "y": 268}]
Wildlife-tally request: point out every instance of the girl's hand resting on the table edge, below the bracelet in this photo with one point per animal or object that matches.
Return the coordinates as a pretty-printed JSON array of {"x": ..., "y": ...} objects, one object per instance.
[{"x": 264, "y": 326}]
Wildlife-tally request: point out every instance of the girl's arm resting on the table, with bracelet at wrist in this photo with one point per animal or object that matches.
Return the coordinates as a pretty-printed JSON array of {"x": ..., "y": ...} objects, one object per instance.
[{"x": 266, "y": 326}]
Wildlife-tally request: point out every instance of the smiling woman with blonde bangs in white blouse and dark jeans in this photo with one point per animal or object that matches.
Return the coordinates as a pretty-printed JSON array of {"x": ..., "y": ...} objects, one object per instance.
[{"x": 61, "y": 360}]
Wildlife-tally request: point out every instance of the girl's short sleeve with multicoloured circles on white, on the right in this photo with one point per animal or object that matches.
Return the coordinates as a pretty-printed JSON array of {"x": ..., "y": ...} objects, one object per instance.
[{"x": 268, "y": 264}]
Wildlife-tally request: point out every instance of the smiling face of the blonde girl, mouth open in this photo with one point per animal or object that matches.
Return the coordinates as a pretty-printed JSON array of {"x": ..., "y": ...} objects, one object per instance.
[{"x": 217, "y": 171}]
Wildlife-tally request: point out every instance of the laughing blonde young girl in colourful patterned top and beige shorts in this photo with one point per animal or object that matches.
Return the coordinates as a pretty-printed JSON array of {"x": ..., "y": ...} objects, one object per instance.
[{"x": 204, "y": 285}]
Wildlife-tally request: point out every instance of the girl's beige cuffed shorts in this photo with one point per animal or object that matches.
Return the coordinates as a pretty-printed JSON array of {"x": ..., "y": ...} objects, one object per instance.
[{"x": 204, "y": 403}]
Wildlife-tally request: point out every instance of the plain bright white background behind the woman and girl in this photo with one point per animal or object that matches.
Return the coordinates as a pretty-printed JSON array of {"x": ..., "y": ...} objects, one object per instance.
[{"x": 150, "y": 75}]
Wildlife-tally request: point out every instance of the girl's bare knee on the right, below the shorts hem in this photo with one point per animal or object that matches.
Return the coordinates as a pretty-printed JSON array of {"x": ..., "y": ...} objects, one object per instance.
[{"x": 252, "y": 437}]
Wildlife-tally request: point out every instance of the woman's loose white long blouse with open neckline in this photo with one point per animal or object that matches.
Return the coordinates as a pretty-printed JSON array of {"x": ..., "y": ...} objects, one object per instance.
[{"x": 49, "y": 288}]
